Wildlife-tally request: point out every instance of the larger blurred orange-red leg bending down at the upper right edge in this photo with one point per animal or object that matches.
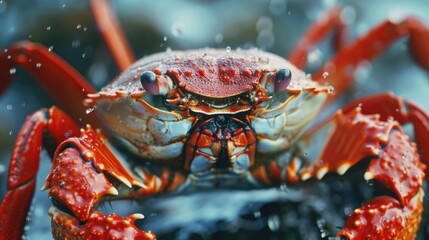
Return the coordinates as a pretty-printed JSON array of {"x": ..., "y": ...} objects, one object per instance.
[{"x": 339, "y": 71}]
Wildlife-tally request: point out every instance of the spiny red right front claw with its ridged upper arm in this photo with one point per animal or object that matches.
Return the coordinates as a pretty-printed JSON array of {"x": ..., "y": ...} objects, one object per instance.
[{"x": 394, "y": 163}]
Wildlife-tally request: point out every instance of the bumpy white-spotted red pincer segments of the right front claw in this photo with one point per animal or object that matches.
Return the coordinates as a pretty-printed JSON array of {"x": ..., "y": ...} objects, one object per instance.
[{"x": 391, "y": 217}]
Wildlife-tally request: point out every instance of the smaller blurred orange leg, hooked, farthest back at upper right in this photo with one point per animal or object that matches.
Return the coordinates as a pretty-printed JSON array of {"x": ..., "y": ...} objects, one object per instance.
[{"x": 319, "y": 30}]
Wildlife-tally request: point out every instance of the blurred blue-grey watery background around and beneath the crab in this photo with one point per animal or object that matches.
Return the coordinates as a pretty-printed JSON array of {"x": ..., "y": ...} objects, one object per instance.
[{"x": 316, "y": 212}]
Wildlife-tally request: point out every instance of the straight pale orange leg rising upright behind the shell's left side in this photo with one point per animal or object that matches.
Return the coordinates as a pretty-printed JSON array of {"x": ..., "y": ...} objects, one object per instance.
[{"x": 112, "y": 33}]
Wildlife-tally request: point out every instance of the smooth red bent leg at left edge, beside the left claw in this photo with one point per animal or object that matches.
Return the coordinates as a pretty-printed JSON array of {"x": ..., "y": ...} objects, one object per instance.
[{"x": 24, "y": 165}]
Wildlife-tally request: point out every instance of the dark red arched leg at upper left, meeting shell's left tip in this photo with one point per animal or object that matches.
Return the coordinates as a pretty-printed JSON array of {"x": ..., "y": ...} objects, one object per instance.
[{"x": 64, "y": 84}]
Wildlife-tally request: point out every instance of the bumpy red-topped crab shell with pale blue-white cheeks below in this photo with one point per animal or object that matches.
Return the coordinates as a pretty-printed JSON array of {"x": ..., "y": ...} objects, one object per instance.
[{"x": 153, "y": 131}]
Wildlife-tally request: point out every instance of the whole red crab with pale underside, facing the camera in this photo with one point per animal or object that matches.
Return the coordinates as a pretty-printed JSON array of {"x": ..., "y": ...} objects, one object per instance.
[{"x": 215, "y": 116}]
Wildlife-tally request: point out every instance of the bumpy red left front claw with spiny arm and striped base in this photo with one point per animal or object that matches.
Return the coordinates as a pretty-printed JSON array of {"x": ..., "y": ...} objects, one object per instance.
[{"x": 86, "y": 172}]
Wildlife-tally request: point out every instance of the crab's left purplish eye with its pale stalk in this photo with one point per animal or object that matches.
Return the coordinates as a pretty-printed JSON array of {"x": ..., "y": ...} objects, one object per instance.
[{"x": 156, "y": 84}]
